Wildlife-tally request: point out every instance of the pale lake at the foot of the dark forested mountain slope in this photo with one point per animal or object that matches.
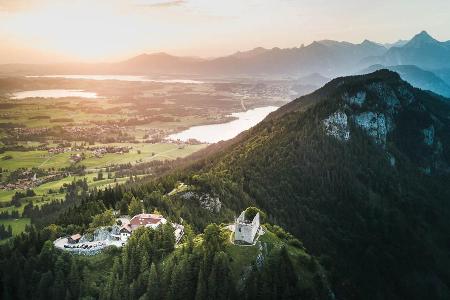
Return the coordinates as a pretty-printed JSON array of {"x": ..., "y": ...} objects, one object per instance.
[{"x": 219, "y": 132}]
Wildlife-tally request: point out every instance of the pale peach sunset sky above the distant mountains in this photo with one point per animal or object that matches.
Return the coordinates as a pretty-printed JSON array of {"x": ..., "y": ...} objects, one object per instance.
[{"x": 42, "y": 31}]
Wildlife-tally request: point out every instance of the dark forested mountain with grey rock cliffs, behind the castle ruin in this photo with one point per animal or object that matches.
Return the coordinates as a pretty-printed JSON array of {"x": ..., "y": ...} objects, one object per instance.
[{"x": 359, "y": 171}]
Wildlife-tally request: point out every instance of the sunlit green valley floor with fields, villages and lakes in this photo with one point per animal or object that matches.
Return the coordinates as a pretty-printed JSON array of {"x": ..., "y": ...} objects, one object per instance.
[{"x": 56, "y": 130}]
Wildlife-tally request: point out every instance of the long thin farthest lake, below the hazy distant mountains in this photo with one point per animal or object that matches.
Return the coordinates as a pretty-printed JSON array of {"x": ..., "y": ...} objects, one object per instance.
[{"x": 119, "y": 77}]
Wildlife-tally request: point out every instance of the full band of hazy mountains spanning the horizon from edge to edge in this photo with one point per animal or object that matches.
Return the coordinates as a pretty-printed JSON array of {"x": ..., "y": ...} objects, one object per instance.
[{"x": 328, "y": 58}]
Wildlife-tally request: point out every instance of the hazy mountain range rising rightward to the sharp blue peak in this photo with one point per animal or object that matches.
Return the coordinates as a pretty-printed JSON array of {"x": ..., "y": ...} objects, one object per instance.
[{"x": 328, "y": 58}]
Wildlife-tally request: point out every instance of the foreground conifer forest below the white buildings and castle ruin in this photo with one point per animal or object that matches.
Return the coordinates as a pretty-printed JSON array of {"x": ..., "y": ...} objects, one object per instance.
[{"x": 148, "y": 267}]
